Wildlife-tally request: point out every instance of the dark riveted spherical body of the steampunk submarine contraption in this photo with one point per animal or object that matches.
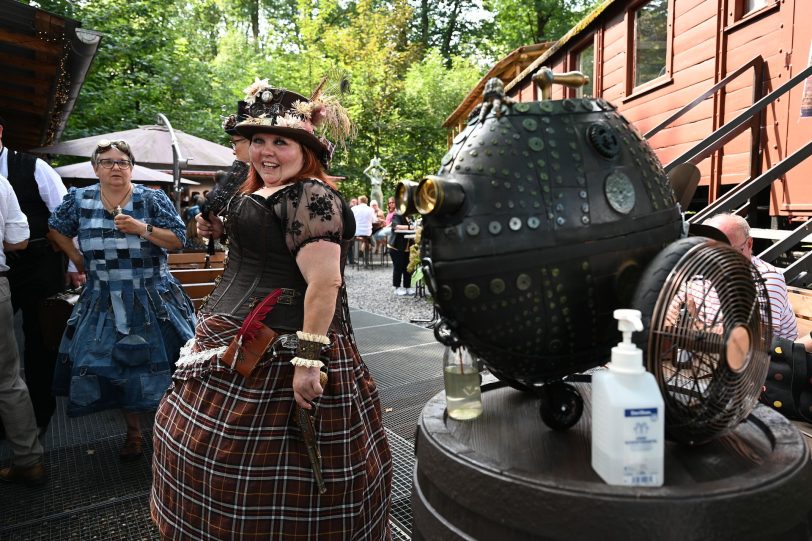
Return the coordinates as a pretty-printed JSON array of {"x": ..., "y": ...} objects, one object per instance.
[{"x": 563, "y": 204}]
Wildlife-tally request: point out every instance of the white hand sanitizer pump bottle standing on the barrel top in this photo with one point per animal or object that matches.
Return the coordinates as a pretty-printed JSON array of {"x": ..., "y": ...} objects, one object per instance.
[{"x": 627, "y": 414}]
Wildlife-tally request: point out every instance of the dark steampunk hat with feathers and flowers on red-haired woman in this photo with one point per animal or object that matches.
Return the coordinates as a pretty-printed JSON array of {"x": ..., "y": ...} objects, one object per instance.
[{"x": 308, "y": 121}]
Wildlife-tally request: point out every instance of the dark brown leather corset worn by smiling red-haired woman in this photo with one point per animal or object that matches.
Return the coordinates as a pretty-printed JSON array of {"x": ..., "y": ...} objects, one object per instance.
[{"x": 258, "y": 262}]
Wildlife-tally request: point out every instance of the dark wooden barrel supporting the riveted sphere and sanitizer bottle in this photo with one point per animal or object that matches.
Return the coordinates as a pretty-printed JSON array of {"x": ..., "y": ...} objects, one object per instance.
[{"x": 507, "y": 476}]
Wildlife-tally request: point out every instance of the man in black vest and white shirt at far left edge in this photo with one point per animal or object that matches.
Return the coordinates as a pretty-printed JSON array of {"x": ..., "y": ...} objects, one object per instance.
[{"x": 36, "y": 272}]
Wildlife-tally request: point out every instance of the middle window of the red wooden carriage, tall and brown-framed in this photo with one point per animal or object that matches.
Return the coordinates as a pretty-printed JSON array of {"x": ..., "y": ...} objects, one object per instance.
[{"x": 650, "y": 41}]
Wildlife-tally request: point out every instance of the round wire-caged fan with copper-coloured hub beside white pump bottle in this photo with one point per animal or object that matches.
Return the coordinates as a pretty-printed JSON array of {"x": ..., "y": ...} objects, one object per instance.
[{"x": 706, "y": 321}]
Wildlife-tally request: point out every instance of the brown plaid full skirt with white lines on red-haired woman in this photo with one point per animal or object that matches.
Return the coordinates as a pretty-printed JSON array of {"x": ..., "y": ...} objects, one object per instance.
[{"x": 230, "y": 461}]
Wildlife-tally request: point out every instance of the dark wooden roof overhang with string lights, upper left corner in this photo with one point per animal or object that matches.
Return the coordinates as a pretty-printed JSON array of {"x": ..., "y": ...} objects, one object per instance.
[{"x": 43, "y": 62}]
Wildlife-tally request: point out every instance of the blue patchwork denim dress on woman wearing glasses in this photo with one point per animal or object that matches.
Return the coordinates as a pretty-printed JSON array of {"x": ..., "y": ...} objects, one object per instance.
[{"x": 124, "y": 335}]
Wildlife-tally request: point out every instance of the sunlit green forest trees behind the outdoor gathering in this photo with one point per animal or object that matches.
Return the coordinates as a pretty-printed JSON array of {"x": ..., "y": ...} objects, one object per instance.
[{"x": 410, "y": 63}]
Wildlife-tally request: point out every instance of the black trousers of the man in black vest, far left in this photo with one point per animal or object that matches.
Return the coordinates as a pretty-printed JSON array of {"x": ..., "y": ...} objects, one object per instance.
[{"x": 35, "y": 274}]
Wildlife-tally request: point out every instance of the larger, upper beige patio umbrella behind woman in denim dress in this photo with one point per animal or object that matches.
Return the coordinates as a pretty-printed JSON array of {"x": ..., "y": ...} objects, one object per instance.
[{"x": 152, "y": 147}]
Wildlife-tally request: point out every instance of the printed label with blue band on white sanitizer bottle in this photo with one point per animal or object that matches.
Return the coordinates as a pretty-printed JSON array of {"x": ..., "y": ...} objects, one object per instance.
[{"x": 640, "y": 443}]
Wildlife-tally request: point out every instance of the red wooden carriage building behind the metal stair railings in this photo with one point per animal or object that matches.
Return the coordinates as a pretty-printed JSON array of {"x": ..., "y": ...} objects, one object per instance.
[{"x": 652, "y": 57}]
